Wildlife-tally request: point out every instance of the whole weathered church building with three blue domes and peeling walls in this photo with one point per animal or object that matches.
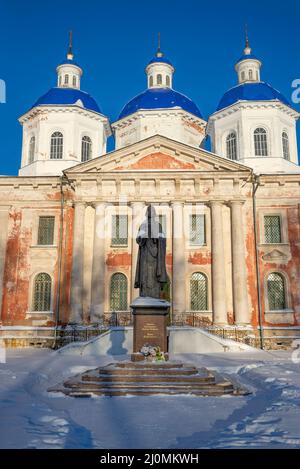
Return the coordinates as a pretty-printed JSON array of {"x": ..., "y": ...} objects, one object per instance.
[{"x": 231, "y": 215}]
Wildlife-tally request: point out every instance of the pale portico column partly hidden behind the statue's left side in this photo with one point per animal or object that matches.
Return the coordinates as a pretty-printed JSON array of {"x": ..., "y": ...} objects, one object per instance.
[{"x": 138, "y": 213}]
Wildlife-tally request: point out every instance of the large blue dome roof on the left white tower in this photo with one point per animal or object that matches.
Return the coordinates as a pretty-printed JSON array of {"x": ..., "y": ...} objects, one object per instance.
[{"x": 68, "y": 97}]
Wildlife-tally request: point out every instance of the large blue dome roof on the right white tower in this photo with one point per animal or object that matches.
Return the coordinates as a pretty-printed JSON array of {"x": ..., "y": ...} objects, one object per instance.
[{"x": 258, "y": 91}]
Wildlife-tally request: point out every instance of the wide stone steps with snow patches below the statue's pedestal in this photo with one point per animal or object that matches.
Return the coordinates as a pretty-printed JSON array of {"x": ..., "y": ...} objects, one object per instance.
[{"x": 146, "y": 379}]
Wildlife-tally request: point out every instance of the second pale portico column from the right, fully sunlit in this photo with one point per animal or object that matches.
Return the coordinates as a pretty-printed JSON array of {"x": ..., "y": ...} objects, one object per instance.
[{"x": 218, "y": 265}]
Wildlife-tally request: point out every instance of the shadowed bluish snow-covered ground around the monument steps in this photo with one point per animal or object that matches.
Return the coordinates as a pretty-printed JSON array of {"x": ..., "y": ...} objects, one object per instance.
[{"x": 32, "y": 418}]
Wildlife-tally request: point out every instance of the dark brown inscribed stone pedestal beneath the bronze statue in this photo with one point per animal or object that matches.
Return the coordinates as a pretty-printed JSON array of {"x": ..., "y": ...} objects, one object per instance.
[{"x": 150, "y": 316}]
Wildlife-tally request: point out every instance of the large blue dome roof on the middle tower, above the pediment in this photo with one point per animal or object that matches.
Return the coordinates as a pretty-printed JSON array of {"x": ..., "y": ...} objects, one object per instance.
[{"x": 160, "y": 98}]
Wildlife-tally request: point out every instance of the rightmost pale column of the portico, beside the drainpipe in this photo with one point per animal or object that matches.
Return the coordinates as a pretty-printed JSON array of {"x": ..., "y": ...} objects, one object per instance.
[{"x": 239, "y": 277}]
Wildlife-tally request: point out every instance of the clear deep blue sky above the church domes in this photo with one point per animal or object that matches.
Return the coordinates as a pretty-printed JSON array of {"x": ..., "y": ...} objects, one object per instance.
[{"x": 113, "y": 41}]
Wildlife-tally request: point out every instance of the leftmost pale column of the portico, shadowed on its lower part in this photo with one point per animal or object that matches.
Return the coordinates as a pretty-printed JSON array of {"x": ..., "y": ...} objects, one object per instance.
[{"x": 77, "y": 264}]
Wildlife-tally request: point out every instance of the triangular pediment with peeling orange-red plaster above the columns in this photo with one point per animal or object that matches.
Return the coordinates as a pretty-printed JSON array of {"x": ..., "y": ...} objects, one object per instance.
[{"x": 158, "y": 153}]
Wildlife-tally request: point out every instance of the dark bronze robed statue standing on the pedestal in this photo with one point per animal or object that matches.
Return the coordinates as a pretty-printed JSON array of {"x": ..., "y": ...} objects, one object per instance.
[{"x": 151, "y": 272}]
